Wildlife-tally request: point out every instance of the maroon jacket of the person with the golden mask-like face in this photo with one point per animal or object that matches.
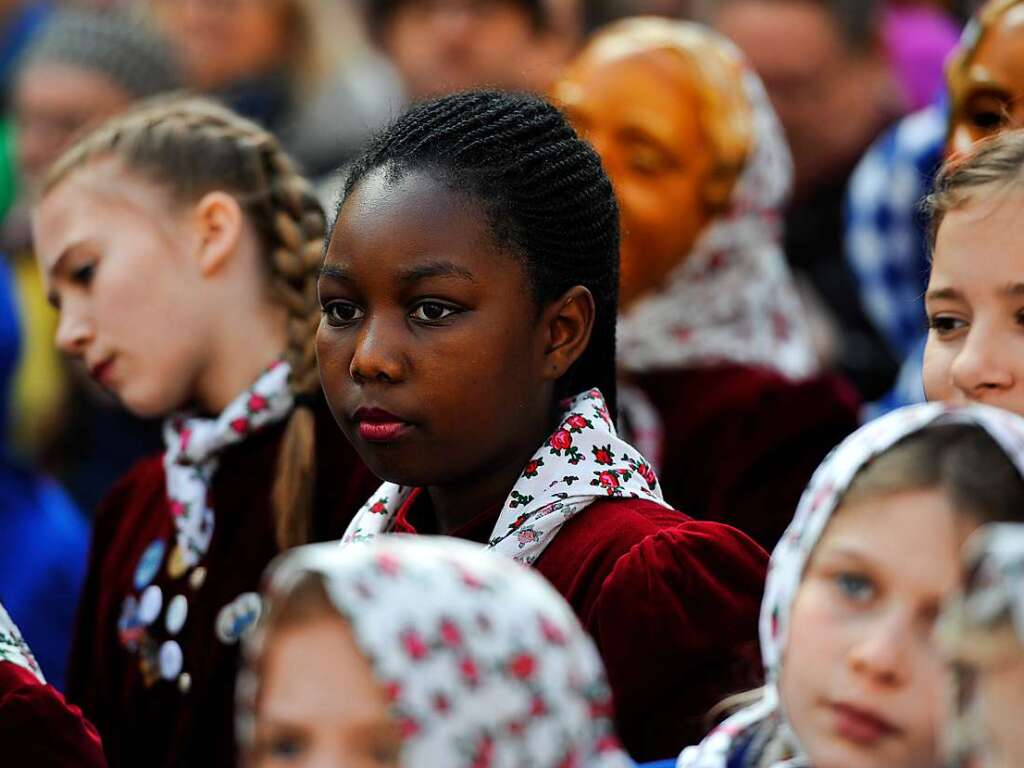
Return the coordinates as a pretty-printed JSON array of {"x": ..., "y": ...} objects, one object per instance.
[{"x": 742, "y": 443}]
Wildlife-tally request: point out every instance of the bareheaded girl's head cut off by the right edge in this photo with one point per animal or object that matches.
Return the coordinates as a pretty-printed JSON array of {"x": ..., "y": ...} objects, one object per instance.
[{"x": 975, "y": 298}]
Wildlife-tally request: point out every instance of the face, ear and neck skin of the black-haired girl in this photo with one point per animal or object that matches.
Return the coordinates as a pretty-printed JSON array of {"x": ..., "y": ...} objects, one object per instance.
[{"x": 430, "y": 319}]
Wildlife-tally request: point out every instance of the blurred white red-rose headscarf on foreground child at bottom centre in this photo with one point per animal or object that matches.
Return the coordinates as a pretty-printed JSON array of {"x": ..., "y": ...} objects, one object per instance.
[{"x": 484, "y": 663}]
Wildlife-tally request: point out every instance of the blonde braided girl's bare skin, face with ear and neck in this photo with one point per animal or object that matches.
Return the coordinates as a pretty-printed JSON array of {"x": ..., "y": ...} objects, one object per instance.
[{"x": 166, "y": 305}]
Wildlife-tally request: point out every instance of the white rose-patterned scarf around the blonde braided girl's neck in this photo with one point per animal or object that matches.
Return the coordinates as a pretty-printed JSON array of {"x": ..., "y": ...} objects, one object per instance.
[{"x": 194, "y": 445}]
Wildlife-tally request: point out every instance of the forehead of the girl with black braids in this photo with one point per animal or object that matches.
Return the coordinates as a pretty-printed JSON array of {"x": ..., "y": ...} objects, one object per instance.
[{"x": 390, "y": 225}]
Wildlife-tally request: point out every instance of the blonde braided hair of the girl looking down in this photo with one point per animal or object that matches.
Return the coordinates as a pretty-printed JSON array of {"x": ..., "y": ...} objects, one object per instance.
[{"x": 192, "y": 147}]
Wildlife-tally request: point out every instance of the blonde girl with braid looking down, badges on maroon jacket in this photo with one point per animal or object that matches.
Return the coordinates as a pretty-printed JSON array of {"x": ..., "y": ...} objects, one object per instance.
[{"x": 182, "y": 248}]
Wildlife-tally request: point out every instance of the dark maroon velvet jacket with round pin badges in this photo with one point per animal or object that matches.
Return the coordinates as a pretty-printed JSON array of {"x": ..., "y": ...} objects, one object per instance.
[{"x": 163, "y": 726}]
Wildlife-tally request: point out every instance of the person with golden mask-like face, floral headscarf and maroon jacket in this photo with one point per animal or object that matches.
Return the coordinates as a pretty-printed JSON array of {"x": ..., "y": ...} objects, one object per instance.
[{"x": 713, "y": 337}]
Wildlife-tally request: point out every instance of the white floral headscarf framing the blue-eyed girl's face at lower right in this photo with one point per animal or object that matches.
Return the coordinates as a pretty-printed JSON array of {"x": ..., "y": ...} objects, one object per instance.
[{"x": 764, "y": 722}]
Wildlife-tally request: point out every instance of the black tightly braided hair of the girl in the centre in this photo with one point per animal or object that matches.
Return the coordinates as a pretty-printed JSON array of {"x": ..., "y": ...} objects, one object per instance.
[{"x": 544, "y": 190}]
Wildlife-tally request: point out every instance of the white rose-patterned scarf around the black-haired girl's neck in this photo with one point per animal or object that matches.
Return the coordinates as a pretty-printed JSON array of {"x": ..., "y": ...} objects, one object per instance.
[{"x": 583, "y": 461}]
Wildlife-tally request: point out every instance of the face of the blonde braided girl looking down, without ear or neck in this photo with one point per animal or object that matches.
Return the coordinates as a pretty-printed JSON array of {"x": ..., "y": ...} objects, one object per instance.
[{"x": 116, "y": 262}]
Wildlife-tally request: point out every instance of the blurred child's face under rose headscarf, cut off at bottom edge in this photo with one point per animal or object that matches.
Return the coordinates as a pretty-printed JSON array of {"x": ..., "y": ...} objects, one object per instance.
[{"x": 320, "y": 704}]
